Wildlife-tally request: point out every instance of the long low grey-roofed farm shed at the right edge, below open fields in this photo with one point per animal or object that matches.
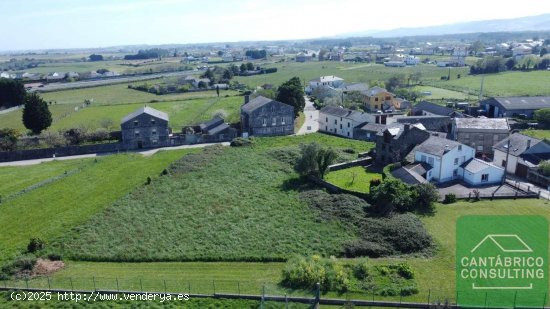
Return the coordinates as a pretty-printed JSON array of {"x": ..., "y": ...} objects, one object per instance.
[{"x": 500, "y": 107}]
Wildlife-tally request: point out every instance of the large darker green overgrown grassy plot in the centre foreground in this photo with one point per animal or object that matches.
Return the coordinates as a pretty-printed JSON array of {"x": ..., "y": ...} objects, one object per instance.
[{"x": 228, "y": 204}]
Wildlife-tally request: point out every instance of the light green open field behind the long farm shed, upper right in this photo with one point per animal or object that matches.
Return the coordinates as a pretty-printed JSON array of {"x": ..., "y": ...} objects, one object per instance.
[{"x": 502, "y": 84}]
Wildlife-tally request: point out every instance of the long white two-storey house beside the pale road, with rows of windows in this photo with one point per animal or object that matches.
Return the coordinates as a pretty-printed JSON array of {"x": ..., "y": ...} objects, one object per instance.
[{"x": 340, "y": 121}]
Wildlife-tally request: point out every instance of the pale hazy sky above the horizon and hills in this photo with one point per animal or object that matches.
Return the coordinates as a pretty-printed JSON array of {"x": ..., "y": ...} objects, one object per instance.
[{"x": 48, "y": 24}]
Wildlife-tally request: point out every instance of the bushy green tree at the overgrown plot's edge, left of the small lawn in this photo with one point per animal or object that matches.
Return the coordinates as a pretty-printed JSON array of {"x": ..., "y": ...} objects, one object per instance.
[{"x": 314, "y": 160}]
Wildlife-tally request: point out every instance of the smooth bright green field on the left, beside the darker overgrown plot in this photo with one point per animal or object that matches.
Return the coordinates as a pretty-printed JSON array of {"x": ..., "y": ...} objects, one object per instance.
[{"x": 52, "y": 209}]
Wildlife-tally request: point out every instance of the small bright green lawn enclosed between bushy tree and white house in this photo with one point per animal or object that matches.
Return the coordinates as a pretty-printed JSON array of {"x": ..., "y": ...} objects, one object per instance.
[{"x": 355, "y": 178}]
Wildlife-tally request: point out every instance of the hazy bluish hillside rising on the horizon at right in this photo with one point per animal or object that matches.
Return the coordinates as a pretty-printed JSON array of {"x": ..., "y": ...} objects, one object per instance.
[{"x": 529, "y": 23}]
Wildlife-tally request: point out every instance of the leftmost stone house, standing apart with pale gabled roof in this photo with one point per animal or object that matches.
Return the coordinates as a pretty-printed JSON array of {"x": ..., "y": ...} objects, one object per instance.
[{"x": 145, "y": 128}]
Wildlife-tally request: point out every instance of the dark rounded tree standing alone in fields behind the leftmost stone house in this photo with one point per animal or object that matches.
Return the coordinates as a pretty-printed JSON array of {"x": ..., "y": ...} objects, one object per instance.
[{"x": 36, "y": 115}]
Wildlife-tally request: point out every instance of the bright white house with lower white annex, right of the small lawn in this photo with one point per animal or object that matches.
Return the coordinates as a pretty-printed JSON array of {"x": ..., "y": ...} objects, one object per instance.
[{"x": 446, "y": 160}]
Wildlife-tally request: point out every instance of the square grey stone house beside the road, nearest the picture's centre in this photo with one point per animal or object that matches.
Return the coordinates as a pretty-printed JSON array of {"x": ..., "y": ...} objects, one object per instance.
[{"x": 266, "y": 117}]
